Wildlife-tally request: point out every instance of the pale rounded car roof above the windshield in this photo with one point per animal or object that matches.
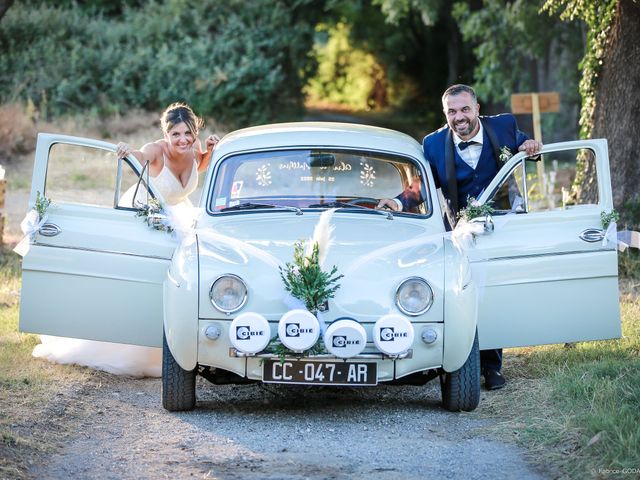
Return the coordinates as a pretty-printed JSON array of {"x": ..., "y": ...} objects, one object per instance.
[{"x": 323, "y": 134}]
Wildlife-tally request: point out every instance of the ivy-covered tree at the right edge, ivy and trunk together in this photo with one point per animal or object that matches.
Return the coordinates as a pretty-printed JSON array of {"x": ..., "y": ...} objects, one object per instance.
[{"x": 609, "y": 89}]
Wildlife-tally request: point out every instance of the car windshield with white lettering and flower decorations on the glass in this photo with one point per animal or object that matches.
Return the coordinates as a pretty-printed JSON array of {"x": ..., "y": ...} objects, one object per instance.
[{"x": 316, "y": 179}]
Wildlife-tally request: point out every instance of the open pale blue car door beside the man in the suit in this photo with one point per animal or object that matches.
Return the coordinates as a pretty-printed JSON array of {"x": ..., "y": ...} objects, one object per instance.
[{"x": 544, "y": 274}]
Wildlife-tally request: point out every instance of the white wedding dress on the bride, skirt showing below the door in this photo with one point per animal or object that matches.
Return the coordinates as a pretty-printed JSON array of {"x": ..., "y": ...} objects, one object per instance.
[{"x": 116, "y": 358}]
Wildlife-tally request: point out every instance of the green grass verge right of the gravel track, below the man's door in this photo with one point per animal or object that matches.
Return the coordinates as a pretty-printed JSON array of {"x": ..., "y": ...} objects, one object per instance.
[{"x": 576, "y": 409}]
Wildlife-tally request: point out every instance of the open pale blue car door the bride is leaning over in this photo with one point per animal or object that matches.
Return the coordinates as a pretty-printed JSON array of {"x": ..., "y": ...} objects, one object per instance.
[{"x": 95, "y": 269}]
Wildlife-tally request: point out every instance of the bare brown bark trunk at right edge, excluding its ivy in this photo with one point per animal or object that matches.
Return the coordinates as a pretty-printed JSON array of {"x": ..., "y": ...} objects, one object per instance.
[{"x": 617, "y": 107}]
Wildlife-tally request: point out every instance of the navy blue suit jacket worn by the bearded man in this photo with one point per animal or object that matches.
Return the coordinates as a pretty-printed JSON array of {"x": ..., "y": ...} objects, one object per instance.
[{"x": 499, "y": 131}]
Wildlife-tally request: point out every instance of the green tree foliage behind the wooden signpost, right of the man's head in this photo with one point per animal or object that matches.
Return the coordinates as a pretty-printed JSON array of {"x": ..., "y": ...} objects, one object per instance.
[{"x": 520, "y": 49}]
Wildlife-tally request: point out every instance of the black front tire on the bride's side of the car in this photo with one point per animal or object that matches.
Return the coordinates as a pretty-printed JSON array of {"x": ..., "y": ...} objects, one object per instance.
[{"x": 178, "y": 385}]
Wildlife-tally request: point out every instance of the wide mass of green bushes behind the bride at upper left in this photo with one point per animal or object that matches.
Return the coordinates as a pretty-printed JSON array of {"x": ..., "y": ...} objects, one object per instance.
[{"x": 239, "y": 62}]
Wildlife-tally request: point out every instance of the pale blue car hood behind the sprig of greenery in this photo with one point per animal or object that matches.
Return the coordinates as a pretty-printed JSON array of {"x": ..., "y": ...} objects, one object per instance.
[{"x": 372, "y": 253}]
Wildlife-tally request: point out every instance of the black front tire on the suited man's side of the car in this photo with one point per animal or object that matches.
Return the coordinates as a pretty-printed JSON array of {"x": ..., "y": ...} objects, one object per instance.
[{"x": 461, "y": 389}]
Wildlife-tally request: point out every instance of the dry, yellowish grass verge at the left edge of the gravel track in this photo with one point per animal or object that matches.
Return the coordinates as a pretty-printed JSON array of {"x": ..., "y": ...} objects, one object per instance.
[{"x": 28, "y": 388}]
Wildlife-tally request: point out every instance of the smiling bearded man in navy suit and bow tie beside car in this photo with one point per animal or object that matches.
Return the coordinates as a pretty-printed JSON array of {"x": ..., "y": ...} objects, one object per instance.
[{"x": 464, "y": 158}]
